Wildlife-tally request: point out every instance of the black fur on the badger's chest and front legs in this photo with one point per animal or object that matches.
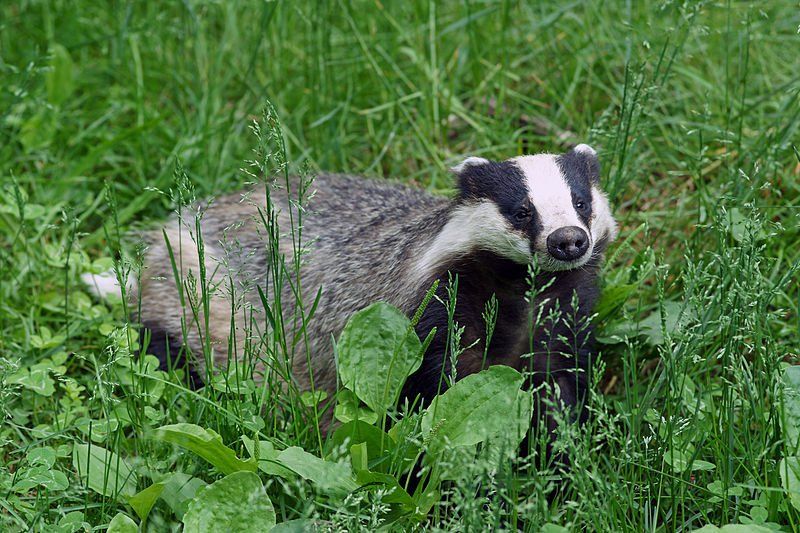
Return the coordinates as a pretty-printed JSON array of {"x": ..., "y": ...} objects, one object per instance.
[{"x": 558, "y": 352}]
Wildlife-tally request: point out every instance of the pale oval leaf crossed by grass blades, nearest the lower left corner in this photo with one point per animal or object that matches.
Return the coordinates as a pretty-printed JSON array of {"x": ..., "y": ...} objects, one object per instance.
[{"x": 103, "y": 471}]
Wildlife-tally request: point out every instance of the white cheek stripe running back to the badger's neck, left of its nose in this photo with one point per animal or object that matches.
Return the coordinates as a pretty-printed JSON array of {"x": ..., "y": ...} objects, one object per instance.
[{"x": 470, "y": 227}]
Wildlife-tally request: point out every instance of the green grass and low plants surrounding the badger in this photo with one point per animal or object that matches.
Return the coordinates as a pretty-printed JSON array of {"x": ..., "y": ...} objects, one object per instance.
[{"x": 695, "y": 110}]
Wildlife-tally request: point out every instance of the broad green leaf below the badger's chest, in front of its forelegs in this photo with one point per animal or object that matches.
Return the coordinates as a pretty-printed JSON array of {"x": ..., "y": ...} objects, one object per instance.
[{"x": 479, "y": 406}]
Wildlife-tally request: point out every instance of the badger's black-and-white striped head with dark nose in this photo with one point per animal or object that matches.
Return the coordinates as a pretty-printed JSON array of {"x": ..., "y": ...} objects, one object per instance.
[{"x": 544, "y": 207}]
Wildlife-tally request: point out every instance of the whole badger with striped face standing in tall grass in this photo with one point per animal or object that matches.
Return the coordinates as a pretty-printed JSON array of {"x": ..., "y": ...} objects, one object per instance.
[{"x": 371, "y": 240}]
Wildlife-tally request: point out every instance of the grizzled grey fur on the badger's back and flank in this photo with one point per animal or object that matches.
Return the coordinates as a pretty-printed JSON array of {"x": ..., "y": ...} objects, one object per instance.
[{"x": 363, "y": 236}]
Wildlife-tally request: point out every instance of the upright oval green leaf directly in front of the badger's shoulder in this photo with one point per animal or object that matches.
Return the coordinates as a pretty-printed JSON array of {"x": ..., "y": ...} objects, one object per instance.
[{"x": 377, "y": 351}]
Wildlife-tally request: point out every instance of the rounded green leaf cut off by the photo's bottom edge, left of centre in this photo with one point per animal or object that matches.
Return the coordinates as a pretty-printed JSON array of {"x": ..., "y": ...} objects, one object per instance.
[{"x": 235, "y": 503}]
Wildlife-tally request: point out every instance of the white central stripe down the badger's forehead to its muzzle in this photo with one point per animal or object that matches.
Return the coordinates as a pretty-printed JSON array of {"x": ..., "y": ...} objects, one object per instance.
[{"x": 551, "y": 196}]
